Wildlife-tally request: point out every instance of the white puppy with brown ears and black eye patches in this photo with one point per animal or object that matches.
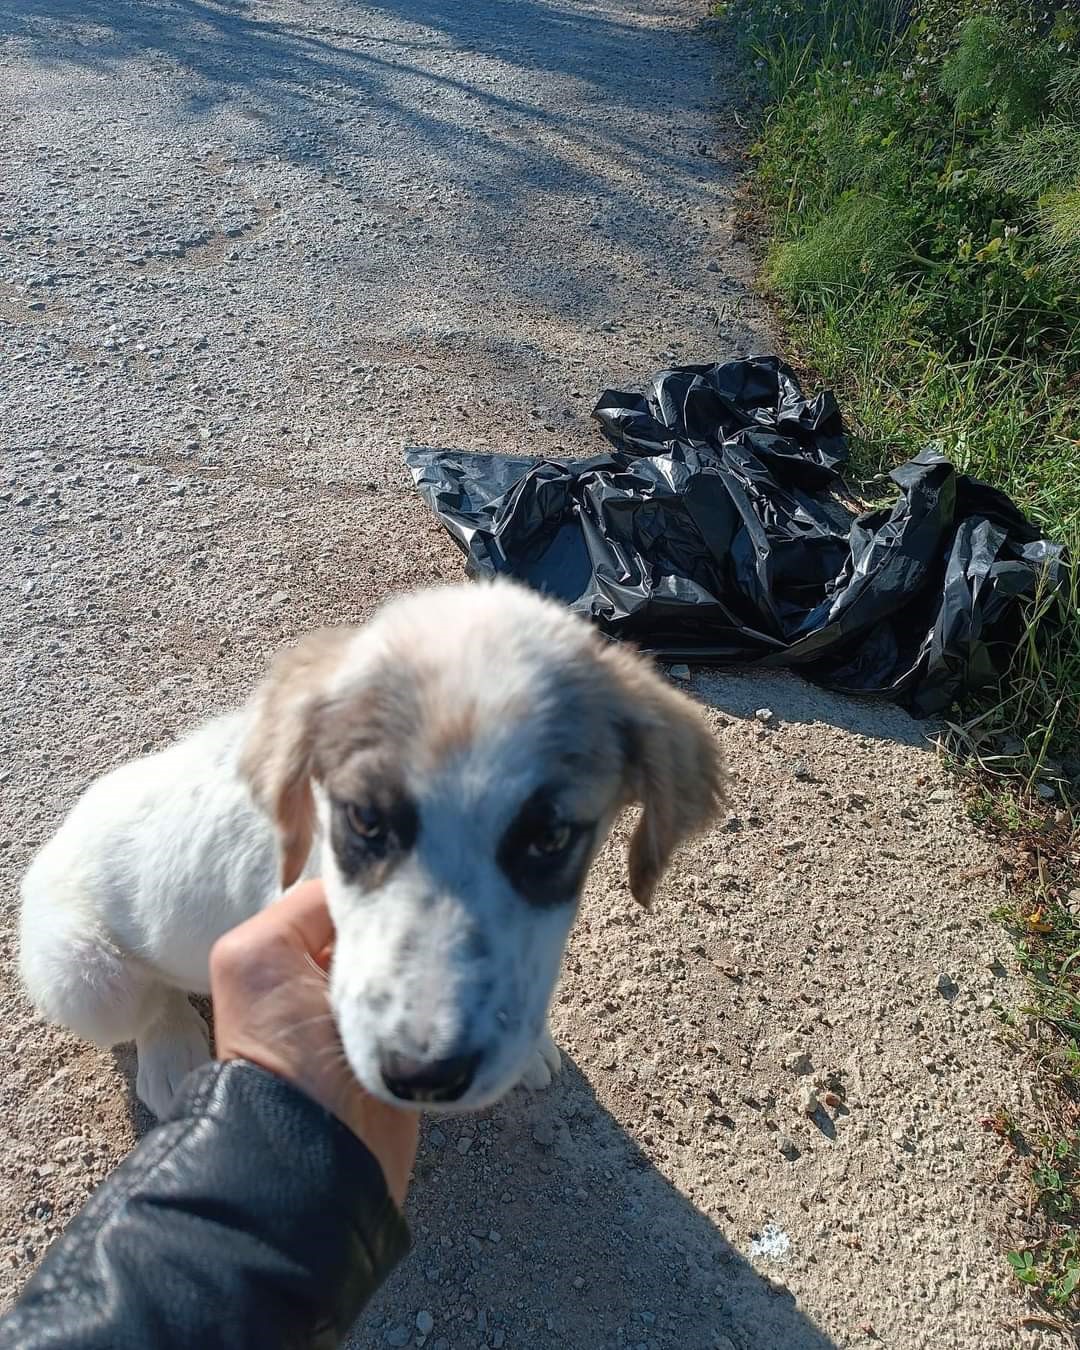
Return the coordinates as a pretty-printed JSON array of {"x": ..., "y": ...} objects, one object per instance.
[{"x": 450, "y": 770}]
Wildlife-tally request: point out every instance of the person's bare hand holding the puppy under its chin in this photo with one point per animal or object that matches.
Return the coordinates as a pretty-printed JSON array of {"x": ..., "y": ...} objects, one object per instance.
[{"x": 271, "y": 1006}]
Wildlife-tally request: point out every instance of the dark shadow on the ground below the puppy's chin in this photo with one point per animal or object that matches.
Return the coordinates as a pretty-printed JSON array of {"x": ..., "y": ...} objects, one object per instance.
[{"x": 593, "y": 1247}]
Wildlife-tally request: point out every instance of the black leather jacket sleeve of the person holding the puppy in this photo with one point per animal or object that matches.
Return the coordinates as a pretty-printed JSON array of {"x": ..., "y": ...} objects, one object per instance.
[{"x": 249, "y": 1218}]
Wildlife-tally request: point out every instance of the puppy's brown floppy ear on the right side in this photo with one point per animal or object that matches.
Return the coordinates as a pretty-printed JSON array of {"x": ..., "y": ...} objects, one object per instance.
[{"x": 673, "y": 767}]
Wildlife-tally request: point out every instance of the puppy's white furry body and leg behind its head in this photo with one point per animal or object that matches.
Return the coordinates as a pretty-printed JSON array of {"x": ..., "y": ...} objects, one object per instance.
[{"x": 121, "y": 909}]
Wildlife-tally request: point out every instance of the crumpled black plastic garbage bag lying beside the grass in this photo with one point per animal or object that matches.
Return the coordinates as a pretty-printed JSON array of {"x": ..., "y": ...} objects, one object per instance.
[{"x": 716, "y": 531}]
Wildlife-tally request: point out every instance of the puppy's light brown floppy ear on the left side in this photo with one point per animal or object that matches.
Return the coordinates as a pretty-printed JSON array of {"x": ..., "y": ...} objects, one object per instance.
[{"x": 277, "y": 757}]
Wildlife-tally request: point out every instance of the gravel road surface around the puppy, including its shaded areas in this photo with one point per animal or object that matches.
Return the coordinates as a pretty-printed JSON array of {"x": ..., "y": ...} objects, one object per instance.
[{"x": 248, "y": 253}]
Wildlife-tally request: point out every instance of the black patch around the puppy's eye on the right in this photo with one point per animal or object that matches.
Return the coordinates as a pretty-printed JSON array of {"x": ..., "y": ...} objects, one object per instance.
[{"x": 542, "y": 854}]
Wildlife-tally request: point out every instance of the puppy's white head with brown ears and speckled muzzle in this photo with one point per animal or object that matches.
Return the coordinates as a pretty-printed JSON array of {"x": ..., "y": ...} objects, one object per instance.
[{"x": 462, "y": 758}]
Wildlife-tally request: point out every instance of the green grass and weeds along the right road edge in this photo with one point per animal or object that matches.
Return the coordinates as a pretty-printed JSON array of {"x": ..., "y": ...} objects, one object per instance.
[{"x": 917, "y": 180}]
